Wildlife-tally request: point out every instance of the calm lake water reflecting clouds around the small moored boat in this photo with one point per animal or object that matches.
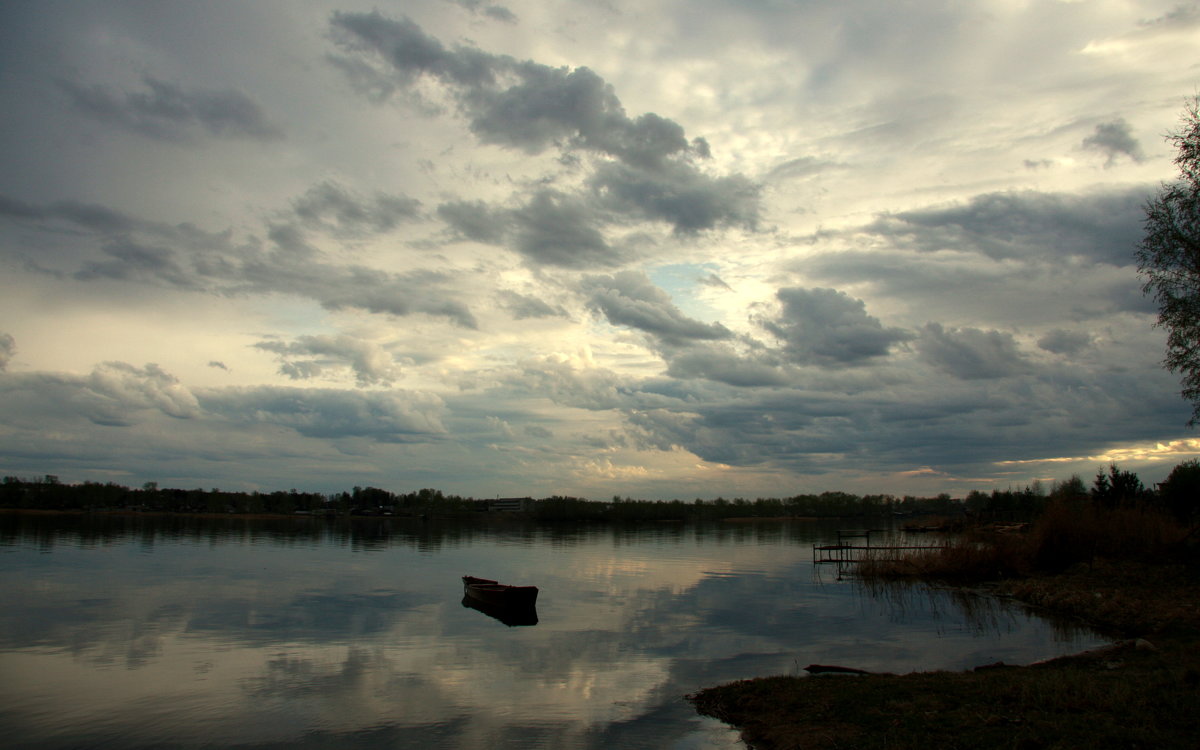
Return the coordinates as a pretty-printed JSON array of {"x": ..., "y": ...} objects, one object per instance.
[{"x": 134, "y": 634}]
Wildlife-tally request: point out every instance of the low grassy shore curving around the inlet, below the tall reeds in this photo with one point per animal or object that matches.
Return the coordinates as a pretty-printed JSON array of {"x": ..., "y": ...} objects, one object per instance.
[{"x": 1139, "y": 692}]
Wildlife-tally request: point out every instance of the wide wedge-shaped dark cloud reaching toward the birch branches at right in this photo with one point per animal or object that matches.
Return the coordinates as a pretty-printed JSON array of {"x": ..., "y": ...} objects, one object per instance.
[{"x": 1102, "y": 227}]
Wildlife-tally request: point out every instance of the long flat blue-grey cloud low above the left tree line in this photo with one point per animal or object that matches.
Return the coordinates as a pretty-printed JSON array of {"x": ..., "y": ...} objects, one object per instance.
[{"x": 387, "y": 417}]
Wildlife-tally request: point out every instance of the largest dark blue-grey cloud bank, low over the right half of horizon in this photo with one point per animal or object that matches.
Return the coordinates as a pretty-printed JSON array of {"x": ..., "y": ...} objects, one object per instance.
[{"x": 958, "y": 417}]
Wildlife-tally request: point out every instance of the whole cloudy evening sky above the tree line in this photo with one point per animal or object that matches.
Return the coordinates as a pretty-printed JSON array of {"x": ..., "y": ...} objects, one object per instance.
[{"x": 676, "y": 249}]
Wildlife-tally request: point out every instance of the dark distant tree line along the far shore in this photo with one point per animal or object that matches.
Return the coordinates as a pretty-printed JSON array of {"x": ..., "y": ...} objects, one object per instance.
[{"x": 1112, "y": 489}]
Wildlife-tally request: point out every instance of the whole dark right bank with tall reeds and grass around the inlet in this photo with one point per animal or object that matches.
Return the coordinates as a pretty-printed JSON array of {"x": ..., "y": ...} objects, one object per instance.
[{"x": 1129, "y": 574}]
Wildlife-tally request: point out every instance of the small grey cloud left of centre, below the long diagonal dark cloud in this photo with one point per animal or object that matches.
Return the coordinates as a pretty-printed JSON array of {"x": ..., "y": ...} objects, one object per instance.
[{"x": 337, "y": 211}]
